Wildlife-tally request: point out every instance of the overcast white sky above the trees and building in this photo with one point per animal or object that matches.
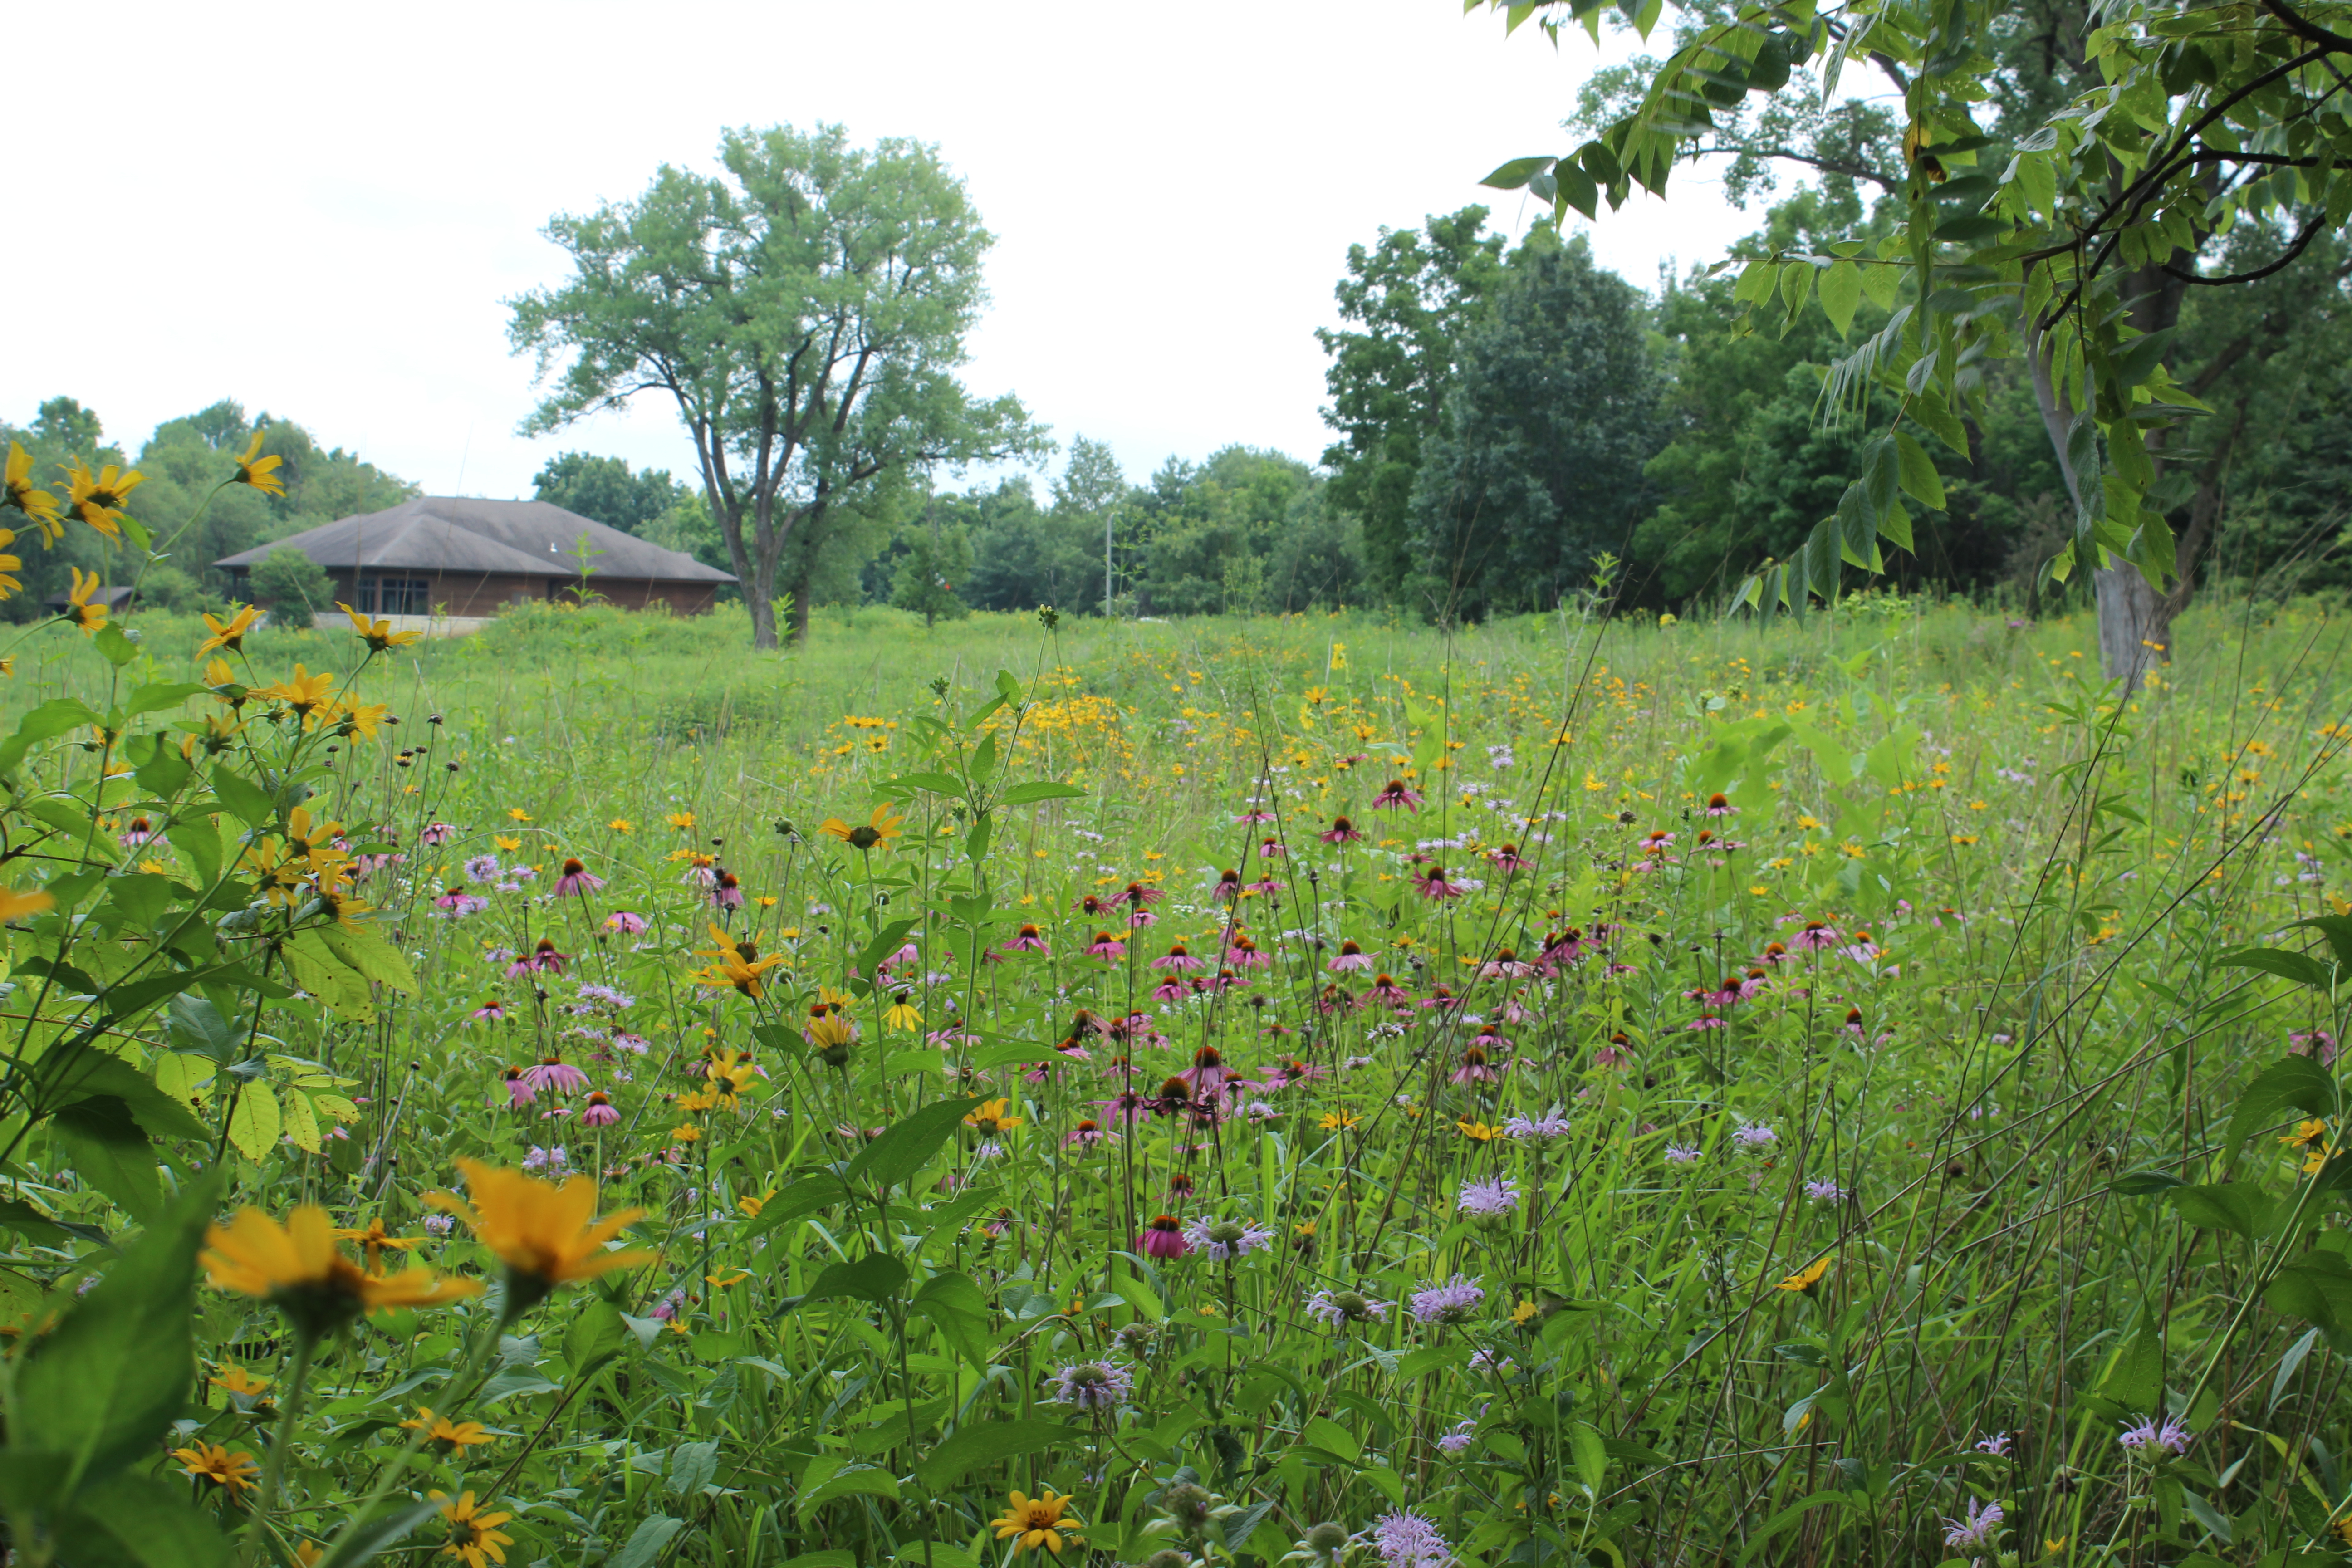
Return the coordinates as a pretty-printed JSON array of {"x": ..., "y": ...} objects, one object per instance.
[{"x": 319, "y": 210}]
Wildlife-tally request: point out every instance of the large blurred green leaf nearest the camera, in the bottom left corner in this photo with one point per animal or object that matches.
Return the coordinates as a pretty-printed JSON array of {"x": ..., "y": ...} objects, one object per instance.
[{"x": 116, "y": 1372}]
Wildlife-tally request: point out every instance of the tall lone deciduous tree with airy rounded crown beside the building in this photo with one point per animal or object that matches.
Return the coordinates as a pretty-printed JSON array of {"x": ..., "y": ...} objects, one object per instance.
[{"x": 806, "y": 311}]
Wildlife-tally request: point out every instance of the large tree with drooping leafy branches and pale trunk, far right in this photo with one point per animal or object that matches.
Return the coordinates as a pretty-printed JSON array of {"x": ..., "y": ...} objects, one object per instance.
[{"x": 2069, "y": 177}]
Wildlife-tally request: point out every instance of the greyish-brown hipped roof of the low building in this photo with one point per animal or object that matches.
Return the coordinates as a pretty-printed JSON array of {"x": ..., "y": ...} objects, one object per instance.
[{"x": 467, "y": 537}]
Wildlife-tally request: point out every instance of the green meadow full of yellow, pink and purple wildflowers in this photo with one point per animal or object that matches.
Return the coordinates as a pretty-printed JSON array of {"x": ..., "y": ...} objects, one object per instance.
[{"x": 1229, "y": 1092}]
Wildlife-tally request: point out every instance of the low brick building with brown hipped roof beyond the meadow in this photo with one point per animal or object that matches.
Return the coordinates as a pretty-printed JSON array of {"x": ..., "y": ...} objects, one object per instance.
[{"x": 462, "y": 558}]
